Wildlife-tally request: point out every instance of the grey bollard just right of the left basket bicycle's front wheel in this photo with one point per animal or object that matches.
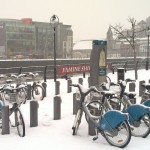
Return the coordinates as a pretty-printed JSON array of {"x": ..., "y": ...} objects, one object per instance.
[{"x": 34, "y": 113}]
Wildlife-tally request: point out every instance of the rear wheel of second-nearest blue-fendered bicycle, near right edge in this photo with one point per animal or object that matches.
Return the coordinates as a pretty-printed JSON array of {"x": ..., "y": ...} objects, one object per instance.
[{"x": 141, "y": 128}]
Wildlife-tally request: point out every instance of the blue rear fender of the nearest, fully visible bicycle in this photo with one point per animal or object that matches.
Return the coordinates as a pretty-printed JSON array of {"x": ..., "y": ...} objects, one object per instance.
[{"x": 112, "y": 119}]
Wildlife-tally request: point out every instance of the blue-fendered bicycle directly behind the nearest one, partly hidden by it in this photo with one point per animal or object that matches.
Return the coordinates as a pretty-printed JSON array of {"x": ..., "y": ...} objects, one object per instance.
[{"x": 139, "y": 117}]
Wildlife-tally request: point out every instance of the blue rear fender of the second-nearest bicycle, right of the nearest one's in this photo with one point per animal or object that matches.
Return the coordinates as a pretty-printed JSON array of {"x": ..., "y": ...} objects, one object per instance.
[{"x": 136, "y": 111}]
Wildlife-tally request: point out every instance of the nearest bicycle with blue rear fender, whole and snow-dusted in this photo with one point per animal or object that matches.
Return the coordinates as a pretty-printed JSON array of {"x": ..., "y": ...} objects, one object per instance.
[{"x": 112, "y": 125}]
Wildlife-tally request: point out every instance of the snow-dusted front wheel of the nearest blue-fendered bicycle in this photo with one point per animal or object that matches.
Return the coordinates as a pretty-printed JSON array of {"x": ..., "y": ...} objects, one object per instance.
[{"x": 77, "y": 121}]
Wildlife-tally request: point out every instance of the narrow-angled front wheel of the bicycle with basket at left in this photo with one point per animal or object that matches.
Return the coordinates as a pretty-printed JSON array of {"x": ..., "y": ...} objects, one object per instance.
[{"x": 19, "y": 121}]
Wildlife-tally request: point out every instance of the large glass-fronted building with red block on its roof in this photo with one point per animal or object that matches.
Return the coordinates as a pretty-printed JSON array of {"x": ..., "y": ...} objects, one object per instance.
[{"x": 30, "y": 39}]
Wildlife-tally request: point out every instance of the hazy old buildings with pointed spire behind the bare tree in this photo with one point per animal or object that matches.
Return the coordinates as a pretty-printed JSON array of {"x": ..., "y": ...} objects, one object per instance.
[{"x": 119, "y": 47}]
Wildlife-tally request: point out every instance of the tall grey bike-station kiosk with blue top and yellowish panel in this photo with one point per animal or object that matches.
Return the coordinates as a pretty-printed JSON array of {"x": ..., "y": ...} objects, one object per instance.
[{"x": 97, "y": 72}]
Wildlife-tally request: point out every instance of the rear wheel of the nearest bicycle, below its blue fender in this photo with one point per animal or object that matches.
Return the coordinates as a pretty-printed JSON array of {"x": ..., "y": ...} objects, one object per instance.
[{"x": 120, "y": 136}]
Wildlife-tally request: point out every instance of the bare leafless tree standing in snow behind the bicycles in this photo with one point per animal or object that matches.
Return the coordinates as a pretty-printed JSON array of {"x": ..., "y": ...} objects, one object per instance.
[{"x": 129, "y": 36}]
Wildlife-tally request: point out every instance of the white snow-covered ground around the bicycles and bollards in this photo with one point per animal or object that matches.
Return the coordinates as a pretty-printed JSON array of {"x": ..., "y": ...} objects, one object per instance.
[{"x": 57, "y": 134}]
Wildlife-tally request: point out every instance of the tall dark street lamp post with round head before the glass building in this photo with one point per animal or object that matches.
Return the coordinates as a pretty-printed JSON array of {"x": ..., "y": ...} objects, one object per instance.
[{"x": 54, "y": 21}]
